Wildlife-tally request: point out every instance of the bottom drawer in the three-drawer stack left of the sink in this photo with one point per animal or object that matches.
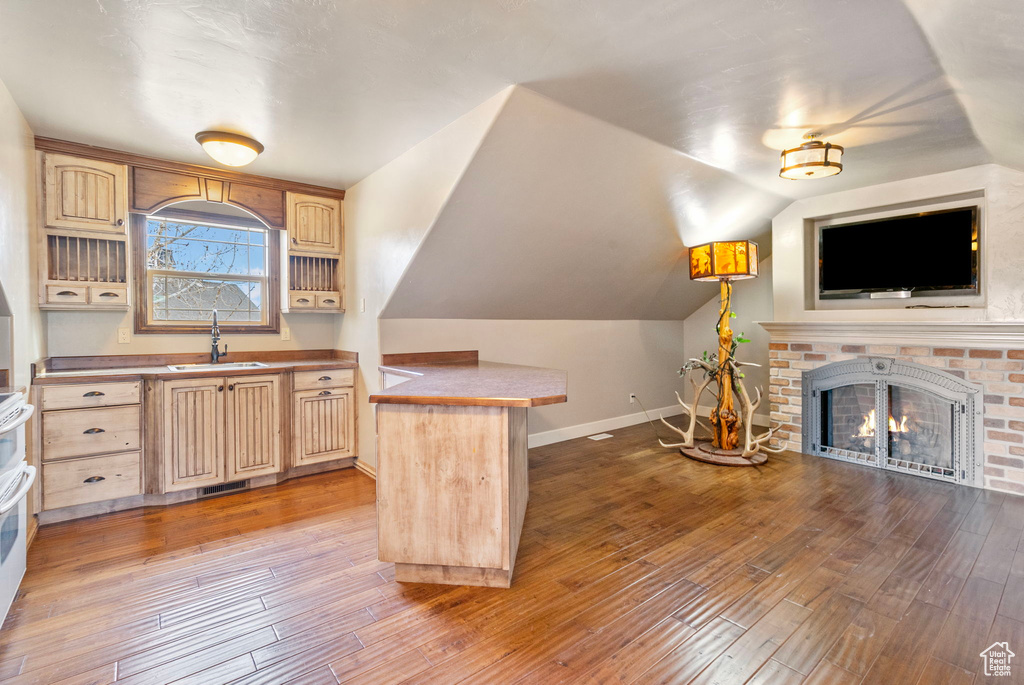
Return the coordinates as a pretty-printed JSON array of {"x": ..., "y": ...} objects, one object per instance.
[{"x": 95, "y": 480}]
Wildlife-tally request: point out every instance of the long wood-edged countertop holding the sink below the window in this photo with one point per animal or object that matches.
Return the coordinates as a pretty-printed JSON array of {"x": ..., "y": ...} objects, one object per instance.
[{"x": 162, "y": 373}]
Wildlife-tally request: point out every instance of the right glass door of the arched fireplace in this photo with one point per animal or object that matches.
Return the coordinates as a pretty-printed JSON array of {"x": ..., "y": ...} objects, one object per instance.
[{"x": 921, "y": 431}]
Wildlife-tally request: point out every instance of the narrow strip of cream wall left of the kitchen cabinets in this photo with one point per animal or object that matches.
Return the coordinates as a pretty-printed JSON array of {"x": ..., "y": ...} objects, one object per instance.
[{"x": 18, "y": 220}]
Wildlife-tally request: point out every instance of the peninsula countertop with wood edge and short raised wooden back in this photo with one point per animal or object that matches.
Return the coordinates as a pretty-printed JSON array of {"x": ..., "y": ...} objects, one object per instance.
[{"x": 461, "y": 379}]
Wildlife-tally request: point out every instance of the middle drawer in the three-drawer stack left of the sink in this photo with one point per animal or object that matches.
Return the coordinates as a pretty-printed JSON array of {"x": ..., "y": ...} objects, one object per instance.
[{"x": 83, "y": 433}]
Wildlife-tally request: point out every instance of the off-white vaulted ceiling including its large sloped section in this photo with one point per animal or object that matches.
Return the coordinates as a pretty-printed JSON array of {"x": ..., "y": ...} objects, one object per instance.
[{"x": 638, "y": 127}]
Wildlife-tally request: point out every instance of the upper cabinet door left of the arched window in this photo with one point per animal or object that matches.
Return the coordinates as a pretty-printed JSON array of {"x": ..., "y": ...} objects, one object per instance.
[{"x": 86, "y": 195}]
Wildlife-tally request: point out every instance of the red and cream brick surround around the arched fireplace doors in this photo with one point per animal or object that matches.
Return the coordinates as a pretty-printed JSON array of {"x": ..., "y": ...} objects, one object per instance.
[{"x": 1001, "y": 373}]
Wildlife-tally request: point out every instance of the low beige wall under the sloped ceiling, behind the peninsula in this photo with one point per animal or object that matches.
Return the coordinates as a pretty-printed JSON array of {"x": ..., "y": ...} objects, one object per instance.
[{"x": 606, "y": 361}]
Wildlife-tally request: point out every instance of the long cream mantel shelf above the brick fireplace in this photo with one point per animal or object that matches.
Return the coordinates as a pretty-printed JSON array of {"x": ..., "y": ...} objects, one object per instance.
[{"x": 959, "y": 334}]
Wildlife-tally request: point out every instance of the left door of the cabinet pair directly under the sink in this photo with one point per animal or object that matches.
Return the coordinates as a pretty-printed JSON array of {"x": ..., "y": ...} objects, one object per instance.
[{"x": 194, "y": 434}]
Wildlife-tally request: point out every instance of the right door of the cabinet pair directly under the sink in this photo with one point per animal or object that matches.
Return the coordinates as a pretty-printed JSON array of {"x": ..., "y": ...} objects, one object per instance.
[{"x": 253, "y": 427}]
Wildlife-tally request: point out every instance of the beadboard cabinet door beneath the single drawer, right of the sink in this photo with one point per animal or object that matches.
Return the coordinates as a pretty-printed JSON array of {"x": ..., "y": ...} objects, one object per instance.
[{"x": 324, "y": 425}]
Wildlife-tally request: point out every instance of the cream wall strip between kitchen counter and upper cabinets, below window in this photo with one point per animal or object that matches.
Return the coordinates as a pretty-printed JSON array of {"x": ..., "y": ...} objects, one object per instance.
[{"x": 78, "y": 333}]
